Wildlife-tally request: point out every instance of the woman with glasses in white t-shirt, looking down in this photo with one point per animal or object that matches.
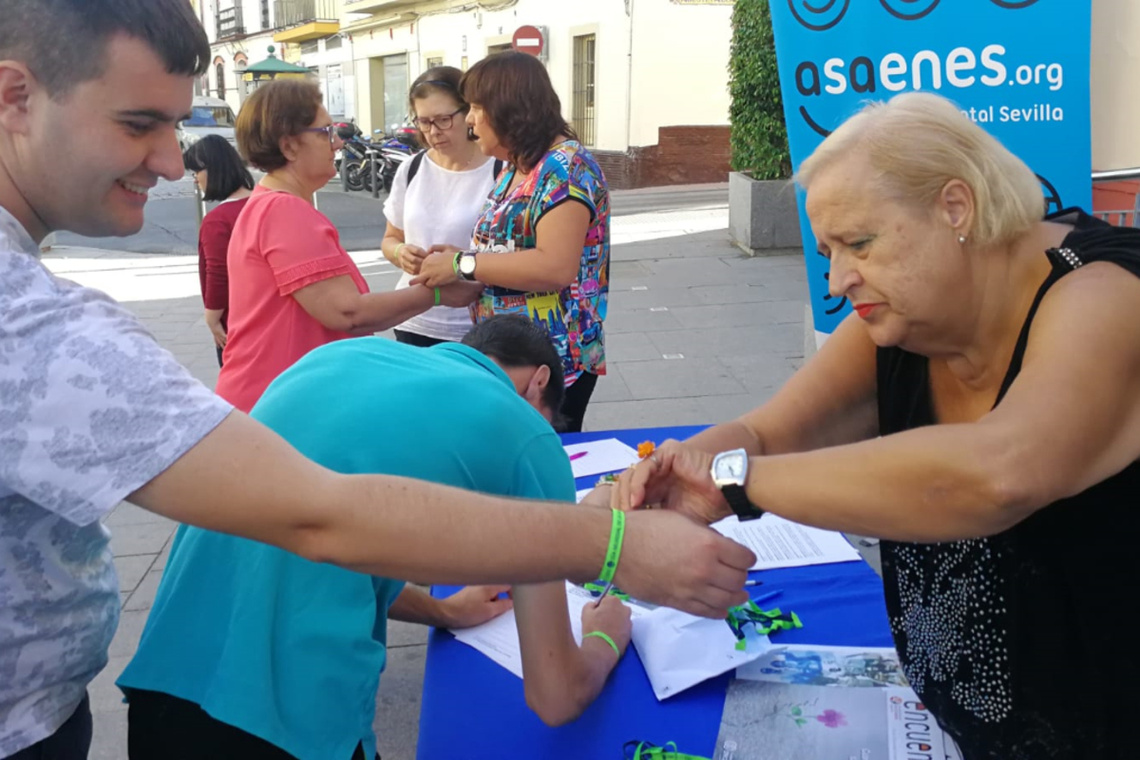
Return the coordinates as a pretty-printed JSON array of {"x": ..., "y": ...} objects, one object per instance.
[{"x": 437, "y": 198}]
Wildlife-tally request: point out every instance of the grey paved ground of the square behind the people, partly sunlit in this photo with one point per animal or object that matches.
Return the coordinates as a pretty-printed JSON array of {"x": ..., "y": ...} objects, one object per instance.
[{"x": 697, "y": 333}]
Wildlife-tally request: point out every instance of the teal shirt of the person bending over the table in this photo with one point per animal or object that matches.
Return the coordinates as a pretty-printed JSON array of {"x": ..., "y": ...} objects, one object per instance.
[{"x": 291, "y": 650}]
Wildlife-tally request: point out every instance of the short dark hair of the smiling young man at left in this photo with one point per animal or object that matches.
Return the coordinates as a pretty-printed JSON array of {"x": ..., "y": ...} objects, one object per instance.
[{"x": 64, "y": 43}]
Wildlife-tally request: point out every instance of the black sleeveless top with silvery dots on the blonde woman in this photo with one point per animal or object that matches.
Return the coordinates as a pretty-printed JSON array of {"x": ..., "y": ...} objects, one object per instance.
[{"x": 1024, "y": 644}]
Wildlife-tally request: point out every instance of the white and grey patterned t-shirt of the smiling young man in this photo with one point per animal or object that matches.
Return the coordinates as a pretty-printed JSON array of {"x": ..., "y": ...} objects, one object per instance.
[{"x": 92, "y": 410}]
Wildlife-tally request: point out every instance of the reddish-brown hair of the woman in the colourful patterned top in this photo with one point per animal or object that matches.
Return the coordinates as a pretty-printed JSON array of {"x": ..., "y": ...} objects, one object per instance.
[{"x": 520, "y": 104}]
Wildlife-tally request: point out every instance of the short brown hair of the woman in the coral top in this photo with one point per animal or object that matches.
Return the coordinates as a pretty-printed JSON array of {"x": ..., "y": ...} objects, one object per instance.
[{"x": 281, "y": 109}]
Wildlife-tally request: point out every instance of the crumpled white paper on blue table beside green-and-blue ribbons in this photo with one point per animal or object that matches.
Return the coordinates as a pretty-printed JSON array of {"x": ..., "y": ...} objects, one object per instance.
[{"x": 681, "y": 651}]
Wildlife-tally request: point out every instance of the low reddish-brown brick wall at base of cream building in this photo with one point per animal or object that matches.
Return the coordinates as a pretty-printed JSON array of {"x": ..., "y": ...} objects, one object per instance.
[{"x": 685, "y": 156}]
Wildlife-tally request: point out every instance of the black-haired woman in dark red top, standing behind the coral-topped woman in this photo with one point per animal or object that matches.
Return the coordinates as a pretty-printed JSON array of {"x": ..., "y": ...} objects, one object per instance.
[{"x": 222, "y": 177}]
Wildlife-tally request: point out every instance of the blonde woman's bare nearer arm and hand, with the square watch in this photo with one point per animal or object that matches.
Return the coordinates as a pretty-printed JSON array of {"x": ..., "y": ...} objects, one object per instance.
[{"x": 1070, "y": 421}]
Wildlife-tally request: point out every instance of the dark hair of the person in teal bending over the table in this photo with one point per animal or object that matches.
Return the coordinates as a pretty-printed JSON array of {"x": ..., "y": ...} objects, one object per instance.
[{"x": 516, "y": 341}]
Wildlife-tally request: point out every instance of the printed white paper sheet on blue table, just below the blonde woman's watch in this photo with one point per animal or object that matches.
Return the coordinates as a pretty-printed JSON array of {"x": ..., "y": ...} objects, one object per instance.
[{"x": 779, "y": 543}]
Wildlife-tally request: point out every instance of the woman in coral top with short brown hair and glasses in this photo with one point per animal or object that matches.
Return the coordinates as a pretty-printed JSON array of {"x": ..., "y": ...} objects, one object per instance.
[{"x": 294, "y": 288}]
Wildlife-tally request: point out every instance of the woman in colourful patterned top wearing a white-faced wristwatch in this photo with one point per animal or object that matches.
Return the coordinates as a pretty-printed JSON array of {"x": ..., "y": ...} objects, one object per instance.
[{"x": 535, "y": 254}]
